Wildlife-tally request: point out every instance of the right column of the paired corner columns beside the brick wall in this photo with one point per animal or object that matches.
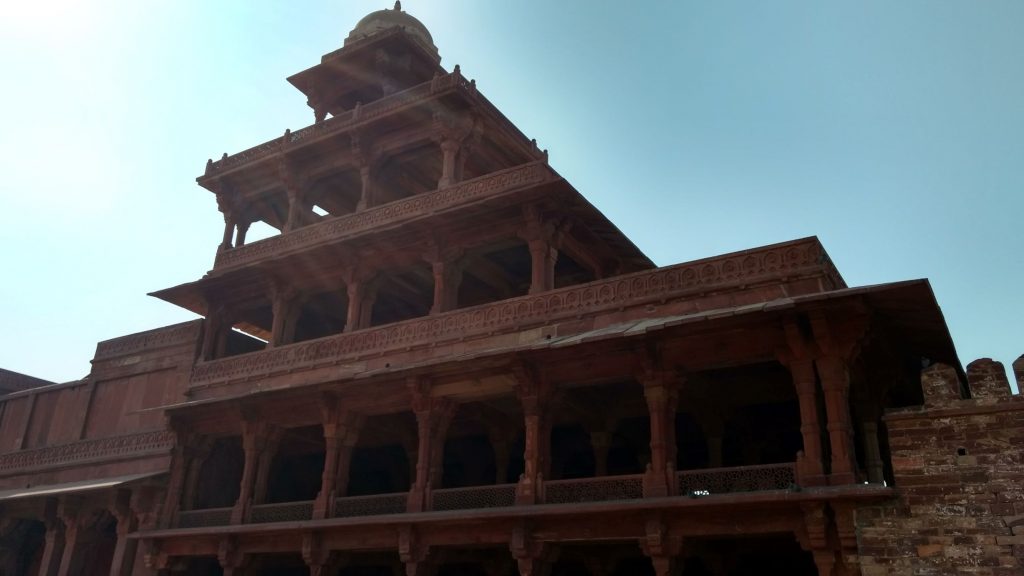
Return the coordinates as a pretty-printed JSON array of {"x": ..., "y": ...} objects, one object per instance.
[{"x": 836, "y": 385}]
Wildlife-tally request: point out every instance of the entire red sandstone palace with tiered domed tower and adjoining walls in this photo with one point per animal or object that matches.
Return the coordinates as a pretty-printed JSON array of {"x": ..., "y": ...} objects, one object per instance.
[{"x": 450, "y": 363}]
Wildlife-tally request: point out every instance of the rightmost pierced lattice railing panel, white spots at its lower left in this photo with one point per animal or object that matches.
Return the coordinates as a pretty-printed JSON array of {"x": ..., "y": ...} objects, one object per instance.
[{"x": 742, "y": 479}]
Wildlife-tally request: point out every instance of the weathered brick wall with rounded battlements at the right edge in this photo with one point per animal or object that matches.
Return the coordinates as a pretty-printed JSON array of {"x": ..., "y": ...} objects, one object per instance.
[{"x": 959, "y": 468}]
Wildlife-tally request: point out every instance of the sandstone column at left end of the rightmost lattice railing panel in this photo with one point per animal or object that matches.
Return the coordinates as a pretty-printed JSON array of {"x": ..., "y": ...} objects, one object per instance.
[{"x": 660, "y": 388}]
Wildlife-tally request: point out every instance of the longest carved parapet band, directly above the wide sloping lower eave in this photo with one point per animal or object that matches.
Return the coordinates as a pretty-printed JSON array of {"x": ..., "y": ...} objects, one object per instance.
[{"x": 793, "y": 260}]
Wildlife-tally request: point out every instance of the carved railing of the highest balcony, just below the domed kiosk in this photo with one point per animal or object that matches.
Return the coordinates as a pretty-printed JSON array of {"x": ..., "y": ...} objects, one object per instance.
[{"x": 338, "y": 124}]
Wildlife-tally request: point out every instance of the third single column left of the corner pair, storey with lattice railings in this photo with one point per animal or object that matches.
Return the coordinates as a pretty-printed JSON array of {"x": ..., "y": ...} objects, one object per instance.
[{"x": 433, "y": 418}]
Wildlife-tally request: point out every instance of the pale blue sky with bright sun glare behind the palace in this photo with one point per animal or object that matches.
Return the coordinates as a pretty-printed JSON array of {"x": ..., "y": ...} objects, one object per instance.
[{"x": 892, "y": 131}]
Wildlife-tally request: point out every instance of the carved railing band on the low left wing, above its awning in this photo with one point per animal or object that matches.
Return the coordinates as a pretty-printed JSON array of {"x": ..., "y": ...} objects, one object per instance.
[{"x": 88, "y": 450}]
